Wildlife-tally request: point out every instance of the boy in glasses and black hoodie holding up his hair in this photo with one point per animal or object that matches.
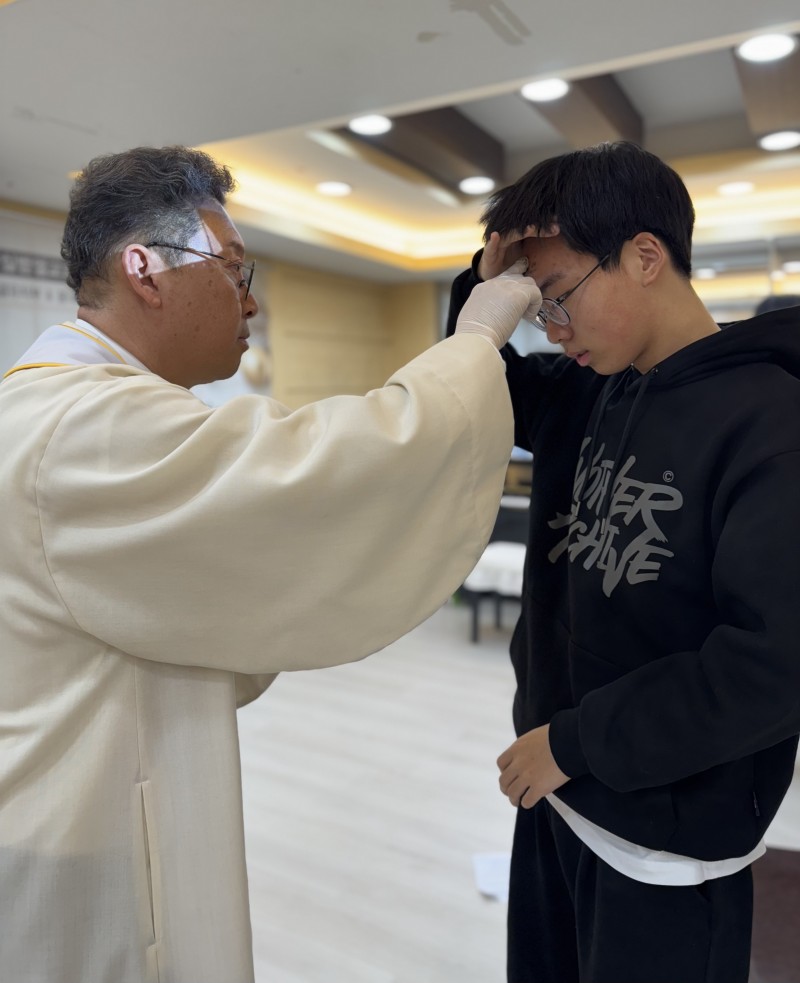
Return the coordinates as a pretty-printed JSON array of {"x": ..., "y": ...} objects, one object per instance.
[{"x": 656, "y": 656}]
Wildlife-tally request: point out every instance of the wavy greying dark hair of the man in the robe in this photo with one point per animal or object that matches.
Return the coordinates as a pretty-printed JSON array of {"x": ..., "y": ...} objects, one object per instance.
[{"x": 147, "y": 194}]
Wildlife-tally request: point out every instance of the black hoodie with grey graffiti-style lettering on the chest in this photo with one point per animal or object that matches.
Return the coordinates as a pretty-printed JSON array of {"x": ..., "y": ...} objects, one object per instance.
[{"x": 660, "y": 626}]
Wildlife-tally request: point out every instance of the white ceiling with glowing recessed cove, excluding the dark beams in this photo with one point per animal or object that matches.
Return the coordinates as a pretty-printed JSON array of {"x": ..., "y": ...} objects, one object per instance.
[{"x": 249, "y": 79}]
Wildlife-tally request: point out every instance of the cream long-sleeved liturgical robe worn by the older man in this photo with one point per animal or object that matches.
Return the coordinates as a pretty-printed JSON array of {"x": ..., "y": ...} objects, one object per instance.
[{"x": 160, "y": 561}]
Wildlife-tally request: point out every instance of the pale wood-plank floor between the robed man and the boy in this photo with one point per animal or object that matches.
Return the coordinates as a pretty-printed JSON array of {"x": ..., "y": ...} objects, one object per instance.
[{"x": 367, "y": 791}]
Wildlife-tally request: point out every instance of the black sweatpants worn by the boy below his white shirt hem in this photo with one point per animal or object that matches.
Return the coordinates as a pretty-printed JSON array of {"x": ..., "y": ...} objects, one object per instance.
[{"x": 574, "y": 919}]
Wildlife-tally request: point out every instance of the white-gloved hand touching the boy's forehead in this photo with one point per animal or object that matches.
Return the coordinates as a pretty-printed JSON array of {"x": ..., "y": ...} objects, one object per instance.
[{"x": 496, "y": 307}]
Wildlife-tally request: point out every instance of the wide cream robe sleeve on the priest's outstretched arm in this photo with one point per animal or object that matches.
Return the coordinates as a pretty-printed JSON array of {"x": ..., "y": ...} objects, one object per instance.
[{"x": 257, "y": 539}]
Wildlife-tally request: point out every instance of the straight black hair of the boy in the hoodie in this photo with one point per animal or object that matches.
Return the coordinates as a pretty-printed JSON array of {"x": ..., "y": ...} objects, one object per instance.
[{"x": 600, "y": 197}]
